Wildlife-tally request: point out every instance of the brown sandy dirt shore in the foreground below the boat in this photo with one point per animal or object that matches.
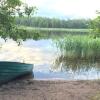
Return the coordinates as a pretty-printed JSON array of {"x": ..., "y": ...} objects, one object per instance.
[{"x": 30, "y": 89}]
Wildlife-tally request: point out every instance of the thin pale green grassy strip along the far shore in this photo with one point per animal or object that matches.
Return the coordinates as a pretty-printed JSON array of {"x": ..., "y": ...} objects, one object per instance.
[{"x": 57, "y": 30}]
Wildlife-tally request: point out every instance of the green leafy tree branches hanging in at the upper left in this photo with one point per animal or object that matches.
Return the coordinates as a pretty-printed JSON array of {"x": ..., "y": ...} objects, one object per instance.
[{"x": 8, "y": 10}]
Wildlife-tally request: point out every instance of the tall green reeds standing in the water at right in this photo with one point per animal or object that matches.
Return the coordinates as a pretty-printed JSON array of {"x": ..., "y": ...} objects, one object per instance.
[{"x": 79, "y": 47}]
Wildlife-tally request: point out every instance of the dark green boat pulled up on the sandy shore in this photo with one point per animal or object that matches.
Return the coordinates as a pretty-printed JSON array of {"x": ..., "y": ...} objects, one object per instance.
[{"x": 12, "y": 70}]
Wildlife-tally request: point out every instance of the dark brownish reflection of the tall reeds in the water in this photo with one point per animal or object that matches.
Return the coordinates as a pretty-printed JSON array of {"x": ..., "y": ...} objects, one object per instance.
[{"x": 76, "y": 65}]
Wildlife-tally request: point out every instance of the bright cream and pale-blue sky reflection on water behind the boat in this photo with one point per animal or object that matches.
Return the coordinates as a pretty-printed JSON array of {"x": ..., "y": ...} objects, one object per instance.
[{"x": 31, "y": 51}]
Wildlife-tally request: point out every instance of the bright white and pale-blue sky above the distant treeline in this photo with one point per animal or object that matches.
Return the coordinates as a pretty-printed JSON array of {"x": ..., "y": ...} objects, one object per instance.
[{"x": 66, "y": 8}]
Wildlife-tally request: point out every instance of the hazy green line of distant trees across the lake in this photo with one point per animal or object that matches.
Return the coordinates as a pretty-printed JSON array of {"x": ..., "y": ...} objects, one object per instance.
[{"x": 44, "y": 22}]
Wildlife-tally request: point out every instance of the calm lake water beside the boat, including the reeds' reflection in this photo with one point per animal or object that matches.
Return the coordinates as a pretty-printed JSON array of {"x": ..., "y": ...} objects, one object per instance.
[{"x": 47, "y": 62}]
